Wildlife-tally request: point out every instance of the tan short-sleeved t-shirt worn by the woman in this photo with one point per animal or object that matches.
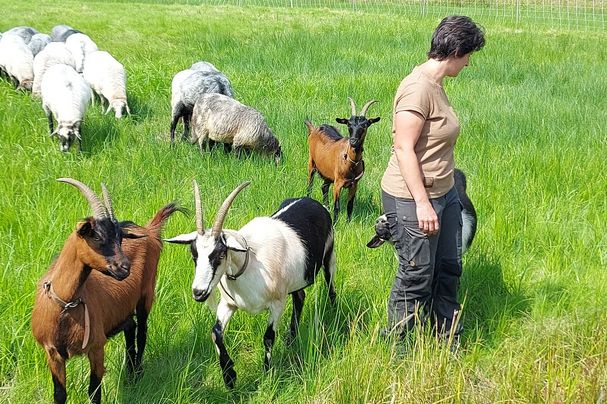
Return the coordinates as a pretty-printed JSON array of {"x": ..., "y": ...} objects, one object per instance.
[{"x": 434, "y": 149}]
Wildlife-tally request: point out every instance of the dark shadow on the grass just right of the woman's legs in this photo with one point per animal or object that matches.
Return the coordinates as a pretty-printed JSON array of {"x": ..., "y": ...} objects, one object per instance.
[{"x": 489, "y": 301}]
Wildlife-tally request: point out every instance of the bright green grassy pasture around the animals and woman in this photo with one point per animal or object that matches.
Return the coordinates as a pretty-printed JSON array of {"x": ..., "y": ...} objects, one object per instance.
[{"x": 533, "y": 144}]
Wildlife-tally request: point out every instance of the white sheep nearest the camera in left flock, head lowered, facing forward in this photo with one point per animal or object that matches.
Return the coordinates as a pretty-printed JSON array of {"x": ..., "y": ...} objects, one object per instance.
[{"x": 65, "y": 95}]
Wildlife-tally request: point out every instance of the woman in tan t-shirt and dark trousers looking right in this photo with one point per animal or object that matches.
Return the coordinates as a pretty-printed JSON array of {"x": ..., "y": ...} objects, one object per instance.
[{"x": 418, "y": 194}]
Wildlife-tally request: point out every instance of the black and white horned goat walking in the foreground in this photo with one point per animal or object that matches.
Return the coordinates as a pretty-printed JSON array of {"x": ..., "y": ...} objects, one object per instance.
[{"x": 258, "y": 266}]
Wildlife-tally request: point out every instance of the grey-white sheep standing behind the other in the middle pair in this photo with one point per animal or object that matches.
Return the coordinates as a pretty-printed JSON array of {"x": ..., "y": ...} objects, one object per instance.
[{"x": 188, "y": 85}]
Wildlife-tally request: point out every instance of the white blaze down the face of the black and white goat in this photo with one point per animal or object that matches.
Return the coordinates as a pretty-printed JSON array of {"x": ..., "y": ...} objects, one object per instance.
[{"x": 210, "y": 265}]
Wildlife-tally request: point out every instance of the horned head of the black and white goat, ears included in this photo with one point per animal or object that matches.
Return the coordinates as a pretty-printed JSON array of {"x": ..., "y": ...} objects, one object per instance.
[{"x": 210, "y": 248}]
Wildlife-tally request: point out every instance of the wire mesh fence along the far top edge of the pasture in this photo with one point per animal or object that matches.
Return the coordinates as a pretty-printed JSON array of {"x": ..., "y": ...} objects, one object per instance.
[{"x": 558, "y": 14}]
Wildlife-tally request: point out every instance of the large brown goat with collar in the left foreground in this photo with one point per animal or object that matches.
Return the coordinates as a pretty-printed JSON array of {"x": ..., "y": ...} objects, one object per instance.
[{"x": 93, "y": 290}]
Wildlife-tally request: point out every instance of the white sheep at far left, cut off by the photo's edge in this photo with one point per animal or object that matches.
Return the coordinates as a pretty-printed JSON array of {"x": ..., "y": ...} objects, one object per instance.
[{"x": 16, "y": 61}]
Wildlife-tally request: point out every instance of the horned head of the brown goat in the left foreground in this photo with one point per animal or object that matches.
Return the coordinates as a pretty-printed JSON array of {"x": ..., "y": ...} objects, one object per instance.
[{"x": 99, "y": 237}]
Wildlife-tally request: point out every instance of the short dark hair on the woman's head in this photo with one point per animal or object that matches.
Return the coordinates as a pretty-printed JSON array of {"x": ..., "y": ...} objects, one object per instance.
[{"x": 456, "y": 36}]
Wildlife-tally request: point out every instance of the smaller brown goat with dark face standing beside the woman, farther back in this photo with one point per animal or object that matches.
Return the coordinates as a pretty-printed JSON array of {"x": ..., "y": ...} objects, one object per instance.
[{"x": 336, "y": 159}]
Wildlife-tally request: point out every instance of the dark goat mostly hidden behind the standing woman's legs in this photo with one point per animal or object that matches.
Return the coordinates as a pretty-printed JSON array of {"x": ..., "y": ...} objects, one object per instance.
[{"x": 469, "y": 219}]
